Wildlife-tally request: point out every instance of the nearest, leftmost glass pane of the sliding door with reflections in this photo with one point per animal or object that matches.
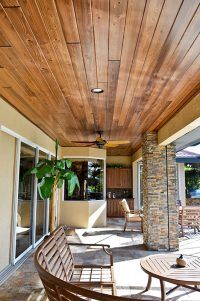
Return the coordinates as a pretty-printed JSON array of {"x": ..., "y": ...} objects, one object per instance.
[{"x": 25, "y": 200}]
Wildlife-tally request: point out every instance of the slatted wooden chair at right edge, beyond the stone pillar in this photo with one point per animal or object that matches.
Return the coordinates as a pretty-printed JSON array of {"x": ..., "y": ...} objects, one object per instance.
[{"x": 190, "y": 217}]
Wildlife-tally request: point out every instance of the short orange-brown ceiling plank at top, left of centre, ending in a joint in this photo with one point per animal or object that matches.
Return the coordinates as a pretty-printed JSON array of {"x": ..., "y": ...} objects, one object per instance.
[{"x": 68, "y": 20}]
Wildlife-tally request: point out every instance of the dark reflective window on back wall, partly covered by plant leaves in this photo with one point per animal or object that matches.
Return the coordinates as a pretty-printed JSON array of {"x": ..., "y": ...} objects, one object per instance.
[{"x": 91, "y": 179}]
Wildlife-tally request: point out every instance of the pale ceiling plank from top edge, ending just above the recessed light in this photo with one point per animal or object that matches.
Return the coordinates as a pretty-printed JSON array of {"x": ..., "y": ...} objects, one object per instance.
[{"x": 100, "y": 15}]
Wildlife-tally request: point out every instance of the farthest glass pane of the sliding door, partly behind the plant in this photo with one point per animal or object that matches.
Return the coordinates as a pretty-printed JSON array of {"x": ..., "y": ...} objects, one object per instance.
[{"x": 41, "y": 208}]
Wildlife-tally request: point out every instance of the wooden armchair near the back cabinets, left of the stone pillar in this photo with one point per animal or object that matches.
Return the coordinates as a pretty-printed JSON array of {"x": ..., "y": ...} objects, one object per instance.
[{"x": 130, "y": 215}]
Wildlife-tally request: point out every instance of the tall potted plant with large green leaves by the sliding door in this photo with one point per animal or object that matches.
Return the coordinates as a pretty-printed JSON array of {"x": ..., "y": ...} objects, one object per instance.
[{"x": 51, "y": 176}]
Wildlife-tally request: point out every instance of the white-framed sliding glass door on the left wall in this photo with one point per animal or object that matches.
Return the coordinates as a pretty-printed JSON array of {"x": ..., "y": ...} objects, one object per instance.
[{"x": 32, "y": 216}]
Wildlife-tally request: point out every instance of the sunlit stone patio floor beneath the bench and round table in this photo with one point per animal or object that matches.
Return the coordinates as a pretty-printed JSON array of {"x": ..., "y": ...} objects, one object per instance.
[{"x": 127, "y": 248}]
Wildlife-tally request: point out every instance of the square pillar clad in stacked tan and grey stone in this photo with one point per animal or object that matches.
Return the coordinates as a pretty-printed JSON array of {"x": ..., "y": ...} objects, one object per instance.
[{"x": 159, "y": 194}]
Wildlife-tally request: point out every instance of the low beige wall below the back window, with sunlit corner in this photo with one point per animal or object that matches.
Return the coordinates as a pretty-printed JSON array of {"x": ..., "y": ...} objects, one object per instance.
[{"x": 83, "y": 214}]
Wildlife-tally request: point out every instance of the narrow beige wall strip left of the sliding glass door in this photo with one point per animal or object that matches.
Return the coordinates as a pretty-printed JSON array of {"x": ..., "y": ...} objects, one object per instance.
[{"x": 7, "y": 158}]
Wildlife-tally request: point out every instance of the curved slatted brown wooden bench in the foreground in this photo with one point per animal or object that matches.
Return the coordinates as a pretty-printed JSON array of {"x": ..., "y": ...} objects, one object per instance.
[{"x": 55, "y": 265}]
